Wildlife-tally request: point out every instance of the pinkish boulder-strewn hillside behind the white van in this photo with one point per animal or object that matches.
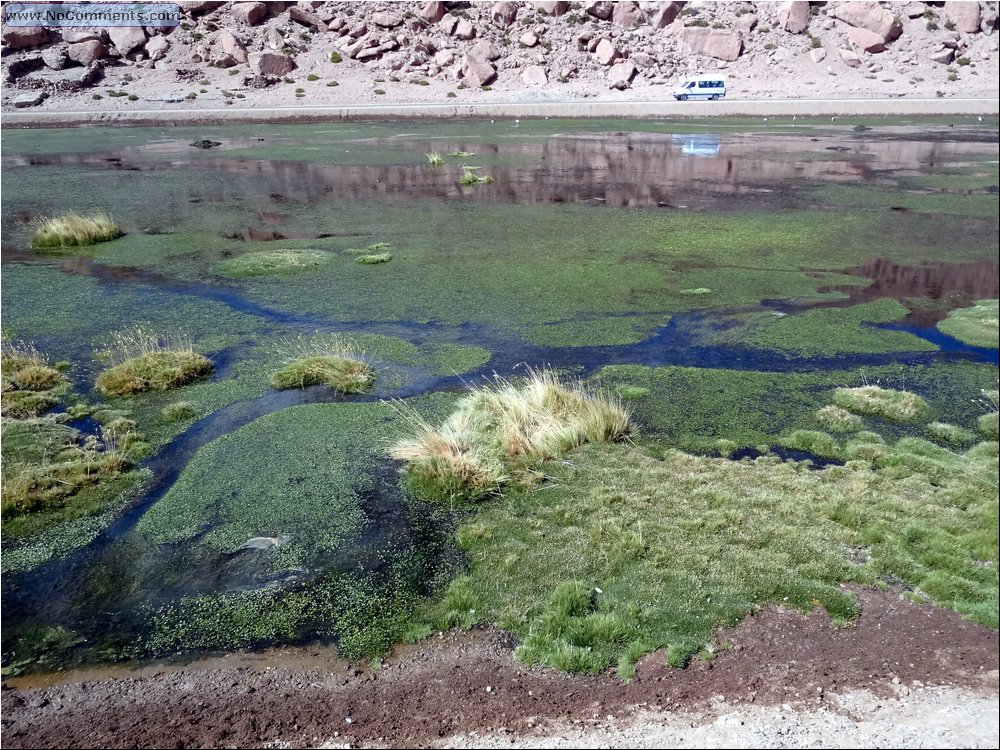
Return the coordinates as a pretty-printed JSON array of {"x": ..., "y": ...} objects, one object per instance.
[{"x": 282, "y": 52}]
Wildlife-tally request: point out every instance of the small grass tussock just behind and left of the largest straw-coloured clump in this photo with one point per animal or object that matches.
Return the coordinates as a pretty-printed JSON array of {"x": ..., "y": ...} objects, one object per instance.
[{"x": 329, "y": 360}]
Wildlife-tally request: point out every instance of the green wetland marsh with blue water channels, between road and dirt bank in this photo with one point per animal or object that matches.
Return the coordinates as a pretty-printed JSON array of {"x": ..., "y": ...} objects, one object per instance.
[{"x": 749, "y": 293}]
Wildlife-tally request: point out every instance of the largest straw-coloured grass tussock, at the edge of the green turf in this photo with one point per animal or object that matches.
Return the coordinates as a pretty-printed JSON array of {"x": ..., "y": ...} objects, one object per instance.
[{"x": 501, "y": 431}]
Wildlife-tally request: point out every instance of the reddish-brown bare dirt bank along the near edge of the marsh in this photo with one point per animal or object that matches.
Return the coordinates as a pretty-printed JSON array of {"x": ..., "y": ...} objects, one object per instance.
[{"x": 460, "y": 683}]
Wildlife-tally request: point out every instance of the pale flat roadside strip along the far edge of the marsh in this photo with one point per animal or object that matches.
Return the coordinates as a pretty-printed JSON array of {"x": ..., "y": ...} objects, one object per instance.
[{"x": 805, "y": 108}]
